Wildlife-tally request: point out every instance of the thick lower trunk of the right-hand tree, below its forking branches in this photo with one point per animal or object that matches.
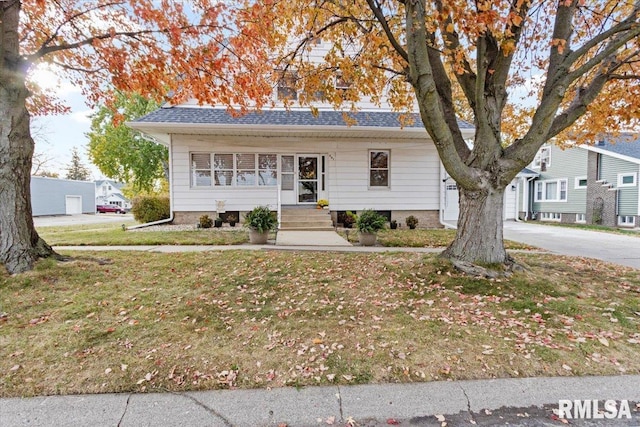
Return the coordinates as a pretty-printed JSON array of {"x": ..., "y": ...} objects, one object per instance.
[{"x": 479, "y": 237}]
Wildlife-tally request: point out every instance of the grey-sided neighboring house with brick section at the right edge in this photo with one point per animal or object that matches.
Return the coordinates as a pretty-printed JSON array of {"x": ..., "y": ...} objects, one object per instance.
[{"x": 591, "y": 184}]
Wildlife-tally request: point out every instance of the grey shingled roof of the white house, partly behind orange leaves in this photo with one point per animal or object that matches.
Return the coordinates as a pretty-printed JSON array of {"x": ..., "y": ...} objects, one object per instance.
[{"x": 219, "y": 116}]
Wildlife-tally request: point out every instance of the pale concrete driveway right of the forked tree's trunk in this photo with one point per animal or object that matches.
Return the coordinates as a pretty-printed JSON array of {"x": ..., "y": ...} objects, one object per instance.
[{"x": 615, "y": 248}]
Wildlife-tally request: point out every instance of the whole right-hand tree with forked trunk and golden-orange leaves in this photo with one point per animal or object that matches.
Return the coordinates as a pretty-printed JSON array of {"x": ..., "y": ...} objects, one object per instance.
[{"x": 524, "y": 71}]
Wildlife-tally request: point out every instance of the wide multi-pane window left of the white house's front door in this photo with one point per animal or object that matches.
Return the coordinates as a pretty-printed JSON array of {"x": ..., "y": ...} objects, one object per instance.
[{"x": 238, "y": 170}]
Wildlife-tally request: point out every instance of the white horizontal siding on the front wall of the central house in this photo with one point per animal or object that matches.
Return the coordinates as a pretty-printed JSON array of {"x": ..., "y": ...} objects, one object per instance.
[{"x": 414, "y": 173}]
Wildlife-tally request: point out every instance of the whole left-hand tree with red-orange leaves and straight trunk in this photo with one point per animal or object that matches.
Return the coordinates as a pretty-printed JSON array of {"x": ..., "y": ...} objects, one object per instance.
[{"x": 211, "y": 50}]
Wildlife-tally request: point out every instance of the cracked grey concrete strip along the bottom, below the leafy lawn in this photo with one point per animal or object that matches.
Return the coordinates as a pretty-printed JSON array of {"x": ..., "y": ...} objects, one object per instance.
[{"x": 461, "y": 402}]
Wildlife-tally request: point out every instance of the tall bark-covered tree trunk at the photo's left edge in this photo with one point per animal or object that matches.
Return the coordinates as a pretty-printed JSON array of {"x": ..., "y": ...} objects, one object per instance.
[{"x": 20, "y": 244}]
